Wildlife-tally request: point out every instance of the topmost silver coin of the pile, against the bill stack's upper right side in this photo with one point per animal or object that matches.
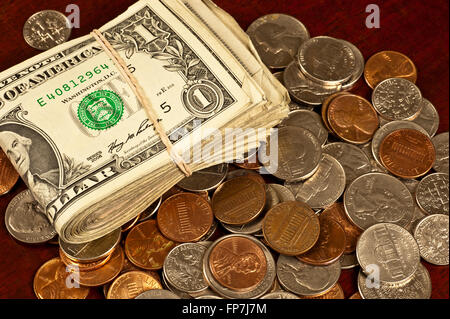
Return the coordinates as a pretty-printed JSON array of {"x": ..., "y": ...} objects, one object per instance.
[{"x": 277, "y": 38}]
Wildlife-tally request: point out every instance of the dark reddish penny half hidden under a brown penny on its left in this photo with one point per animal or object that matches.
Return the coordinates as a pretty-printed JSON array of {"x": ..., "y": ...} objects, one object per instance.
[{"x": 329, "y": 247}]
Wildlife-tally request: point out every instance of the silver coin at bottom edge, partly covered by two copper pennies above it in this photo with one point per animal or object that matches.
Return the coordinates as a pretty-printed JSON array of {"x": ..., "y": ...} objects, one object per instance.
[{"x": 306, "y": 280}]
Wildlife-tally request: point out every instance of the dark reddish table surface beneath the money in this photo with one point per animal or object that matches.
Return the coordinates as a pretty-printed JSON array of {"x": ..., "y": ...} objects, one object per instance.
[{"x": 416, "y": 28}]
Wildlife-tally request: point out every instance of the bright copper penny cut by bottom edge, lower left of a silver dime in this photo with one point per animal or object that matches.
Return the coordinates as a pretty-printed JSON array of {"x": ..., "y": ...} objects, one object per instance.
[{"x": 131, "y": 284}]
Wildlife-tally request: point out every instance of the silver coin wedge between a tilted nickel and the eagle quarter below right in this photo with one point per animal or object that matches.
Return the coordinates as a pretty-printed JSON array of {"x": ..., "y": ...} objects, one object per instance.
[{"x": 352, "y": 158}]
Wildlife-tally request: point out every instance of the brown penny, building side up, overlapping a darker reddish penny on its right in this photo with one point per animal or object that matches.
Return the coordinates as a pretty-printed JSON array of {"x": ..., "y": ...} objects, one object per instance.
[{"x": 291, "y": 228}]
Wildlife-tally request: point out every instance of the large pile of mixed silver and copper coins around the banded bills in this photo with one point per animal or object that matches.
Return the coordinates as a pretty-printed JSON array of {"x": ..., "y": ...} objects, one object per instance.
[{"x": 359, "y": 184}]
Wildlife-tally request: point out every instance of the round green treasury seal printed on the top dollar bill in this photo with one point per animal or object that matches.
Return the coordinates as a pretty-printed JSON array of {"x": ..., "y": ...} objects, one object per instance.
[{"x": 100, "y": 110}]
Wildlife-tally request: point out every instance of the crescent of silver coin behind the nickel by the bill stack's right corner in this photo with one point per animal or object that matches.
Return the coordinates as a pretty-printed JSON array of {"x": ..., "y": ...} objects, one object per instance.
[{"x": 308, "y": 120}]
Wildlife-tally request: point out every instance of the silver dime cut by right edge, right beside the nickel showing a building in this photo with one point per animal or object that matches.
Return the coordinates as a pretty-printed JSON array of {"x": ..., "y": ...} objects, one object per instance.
[{"x": 431, "y": 235}]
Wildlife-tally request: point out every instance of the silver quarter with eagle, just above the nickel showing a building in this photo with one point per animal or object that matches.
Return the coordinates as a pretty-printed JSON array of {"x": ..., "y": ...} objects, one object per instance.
[{"x": 378, "y": 198}]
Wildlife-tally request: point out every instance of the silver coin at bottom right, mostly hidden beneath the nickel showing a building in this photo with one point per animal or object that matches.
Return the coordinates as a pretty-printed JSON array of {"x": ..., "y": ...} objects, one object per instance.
[{"x": 419, "y": 287}]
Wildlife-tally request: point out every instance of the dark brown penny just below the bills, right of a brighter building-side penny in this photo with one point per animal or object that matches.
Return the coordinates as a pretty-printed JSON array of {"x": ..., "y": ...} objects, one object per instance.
[{"x": 185, "y": 217}]
